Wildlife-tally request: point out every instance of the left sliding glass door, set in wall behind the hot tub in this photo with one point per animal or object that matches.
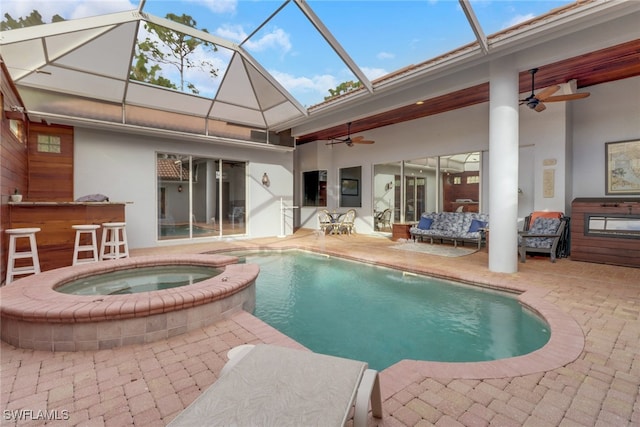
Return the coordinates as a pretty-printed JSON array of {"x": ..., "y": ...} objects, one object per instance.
[{"x": 199, "y": 197}]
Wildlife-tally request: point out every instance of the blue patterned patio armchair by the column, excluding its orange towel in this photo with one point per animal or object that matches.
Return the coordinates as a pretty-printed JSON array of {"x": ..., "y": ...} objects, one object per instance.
[{"x": 543, "y": 236}]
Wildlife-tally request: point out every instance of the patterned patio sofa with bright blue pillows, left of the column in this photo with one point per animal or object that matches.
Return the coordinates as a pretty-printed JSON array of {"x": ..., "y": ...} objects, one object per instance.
[{"x": 455, "y": 226}]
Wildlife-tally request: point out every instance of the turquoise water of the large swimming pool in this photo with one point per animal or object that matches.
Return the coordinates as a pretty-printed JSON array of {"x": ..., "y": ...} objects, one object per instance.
[{"x": 382, "y": 316}]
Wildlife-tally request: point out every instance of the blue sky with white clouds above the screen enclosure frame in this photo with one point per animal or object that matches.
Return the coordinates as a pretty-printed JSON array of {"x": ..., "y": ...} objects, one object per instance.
[{"x": 381, "y": 36}]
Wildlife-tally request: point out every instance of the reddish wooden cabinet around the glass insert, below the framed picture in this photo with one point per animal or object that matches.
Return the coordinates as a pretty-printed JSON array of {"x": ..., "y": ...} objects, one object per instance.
[{"x": 603, "y": 249}]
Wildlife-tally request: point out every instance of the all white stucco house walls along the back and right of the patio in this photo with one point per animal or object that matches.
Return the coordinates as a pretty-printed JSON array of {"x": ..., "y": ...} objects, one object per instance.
[{"x": 122, "y": 166}]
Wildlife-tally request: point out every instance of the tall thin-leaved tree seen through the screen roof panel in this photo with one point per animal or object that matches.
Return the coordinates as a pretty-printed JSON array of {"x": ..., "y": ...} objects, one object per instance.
[{"x": 179, "y": 54}]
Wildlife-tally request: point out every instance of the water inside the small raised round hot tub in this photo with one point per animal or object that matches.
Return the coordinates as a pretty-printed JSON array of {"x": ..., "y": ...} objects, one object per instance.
[{"x": 136, "y": 280}]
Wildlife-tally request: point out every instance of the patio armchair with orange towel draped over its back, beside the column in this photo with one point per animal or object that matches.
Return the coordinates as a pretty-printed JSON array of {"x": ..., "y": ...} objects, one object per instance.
[{"x": 544, "y": 233}]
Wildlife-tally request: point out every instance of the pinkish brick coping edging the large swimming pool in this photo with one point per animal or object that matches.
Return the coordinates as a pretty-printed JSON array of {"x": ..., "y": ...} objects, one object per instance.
[{"x": 566, "y": 341}]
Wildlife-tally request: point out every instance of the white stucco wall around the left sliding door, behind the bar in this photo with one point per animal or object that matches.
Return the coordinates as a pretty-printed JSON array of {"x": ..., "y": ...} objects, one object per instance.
[{"x": 123, "y": 167}]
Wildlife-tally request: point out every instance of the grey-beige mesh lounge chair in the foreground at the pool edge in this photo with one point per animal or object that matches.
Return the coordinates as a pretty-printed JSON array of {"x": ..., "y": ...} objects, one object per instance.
[{"x": 269, "y": 385}]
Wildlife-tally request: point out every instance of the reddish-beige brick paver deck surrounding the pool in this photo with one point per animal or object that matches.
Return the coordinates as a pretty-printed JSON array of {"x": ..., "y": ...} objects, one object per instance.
[{"x": 149, "y": 384}]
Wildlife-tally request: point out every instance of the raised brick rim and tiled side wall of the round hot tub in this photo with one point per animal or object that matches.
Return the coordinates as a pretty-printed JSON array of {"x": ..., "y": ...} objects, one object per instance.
[{"x": 35, "y": 316}]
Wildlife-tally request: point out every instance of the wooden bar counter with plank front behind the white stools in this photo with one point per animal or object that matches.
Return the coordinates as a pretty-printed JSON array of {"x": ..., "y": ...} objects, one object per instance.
[{"x": 56, "y": 239}]
